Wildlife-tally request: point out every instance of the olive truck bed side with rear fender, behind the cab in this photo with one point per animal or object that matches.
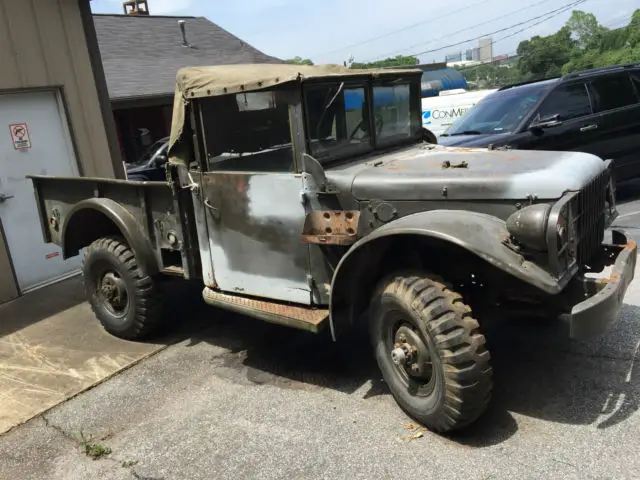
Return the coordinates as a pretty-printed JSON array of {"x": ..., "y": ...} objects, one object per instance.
[{"x": 74, "y": 211}]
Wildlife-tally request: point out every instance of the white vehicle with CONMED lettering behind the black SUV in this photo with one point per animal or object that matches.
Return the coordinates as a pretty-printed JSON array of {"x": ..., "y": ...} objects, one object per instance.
[{"x": 440, "y": 112}]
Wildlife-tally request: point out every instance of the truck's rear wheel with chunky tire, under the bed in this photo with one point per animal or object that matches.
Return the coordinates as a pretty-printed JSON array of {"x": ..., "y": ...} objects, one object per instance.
[{"x": 125, "y": 301}]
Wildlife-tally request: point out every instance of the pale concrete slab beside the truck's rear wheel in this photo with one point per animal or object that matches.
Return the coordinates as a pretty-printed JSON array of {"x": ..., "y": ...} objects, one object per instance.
[{"x": 52, "y": 348}]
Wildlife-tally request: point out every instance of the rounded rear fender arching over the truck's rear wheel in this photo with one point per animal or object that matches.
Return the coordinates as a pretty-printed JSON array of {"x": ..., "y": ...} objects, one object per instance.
[{"x": 121, "y": 218}]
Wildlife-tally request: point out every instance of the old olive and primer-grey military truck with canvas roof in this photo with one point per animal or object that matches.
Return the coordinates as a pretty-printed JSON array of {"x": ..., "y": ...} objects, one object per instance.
[{"x": 307, "y": 196}]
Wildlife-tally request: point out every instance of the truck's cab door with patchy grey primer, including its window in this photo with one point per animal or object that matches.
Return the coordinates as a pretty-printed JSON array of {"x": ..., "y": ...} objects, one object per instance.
[{"x": 251, "y": 197}]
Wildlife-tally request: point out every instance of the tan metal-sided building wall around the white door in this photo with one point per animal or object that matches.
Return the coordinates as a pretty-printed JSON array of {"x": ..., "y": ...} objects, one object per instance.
[{"x": 46, "y": 43}]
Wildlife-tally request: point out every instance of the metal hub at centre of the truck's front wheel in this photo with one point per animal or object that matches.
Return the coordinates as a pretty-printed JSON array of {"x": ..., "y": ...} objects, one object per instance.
[{"x": 411, "y": 354}]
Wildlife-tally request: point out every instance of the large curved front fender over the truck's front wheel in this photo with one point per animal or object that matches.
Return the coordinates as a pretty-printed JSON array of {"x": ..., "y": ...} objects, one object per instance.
[{"x": 478, "y": 233}]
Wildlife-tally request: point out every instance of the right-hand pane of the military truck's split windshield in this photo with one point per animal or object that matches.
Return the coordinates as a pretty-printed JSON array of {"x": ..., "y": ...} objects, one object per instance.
[{"x": 392, "y": 112}]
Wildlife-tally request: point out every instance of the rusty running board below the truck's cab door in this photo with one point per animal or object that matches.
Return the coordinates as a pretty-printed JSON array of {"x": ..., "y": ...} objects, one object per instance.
[{"x": 309, "y": 319}]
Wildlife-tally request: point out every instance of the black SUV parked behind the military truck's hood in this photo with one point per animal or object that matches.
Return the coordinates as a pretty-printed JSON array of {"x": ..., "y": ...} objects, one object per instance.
[{"x": 594, "y": 111}]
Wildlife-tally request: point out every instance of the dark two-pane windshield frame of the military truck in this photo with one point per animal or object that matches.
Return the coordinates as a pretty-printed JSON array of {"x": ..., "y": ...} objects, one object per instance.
[{"x": 347, "y": 151}]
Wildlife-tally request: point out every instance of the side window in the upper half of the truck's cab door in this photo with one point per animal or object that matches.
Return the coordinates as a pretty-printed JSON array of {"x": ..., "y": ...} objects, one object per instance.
[{"x": 248, "y": 131}]
